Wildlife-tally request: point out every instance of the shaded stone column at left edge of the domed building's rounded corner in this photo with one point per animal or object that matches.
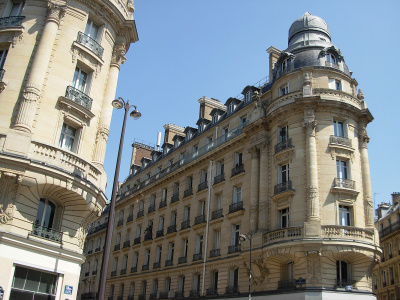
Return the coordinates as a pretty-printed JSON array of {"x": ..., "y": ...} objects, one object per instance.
[{"x": 263, "y": 211}]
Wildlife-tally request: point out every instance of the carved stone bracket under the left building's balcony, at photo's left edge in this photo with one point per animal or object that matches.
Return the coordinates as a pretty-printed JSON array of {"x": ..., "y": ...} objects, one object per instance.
[{"x": 8, "y": 191}]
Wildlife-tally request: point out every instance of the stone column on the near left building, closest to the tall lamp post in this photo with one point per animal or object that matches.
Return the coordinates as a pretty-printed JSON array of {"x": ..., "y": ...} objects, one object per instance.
[{"x": 117, "y": 59}]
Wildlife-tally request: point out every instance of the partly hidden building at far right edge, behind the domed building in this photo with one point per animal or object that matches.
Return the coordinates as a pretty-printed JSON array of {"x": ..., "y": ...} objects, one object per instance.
[{"x": 386, "y": 275}]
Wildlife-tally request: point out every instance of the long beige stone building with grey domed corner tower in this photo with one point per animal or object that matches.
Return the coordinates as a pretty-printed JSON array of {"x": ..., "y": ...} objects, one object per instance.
[{"x": 285, "y": 163}]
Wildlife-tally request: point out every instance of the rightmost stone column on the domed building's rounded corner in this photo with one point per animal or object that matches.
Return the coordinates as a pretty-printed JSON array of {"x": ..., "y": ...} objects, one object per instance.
[{"x": 367, "y": 191}]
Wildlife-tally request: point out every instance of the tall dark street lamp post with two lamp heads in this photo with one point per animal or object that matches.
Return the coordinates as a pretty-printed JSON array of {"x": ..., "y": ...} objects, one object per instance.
[{"x": 135, "y": 114}]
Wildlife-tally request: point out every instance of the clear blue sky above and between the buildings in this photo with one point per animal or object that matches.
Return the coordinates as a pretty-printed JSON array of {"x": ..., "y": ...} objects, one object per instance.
[{"x": 193, "y": 48}]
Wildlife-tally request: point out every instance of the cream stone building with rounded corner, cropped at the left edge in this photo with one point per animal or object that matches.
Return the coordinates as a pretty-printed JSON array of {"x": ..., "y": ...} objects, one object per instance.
[{"x": 59, "y": 65}]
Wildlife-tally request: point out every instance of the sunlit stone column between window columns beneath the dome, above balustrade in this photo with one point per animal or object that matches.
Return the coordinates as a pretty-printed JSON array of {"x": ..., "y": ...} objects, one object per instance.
[{"x": 311, "y": 166}]
